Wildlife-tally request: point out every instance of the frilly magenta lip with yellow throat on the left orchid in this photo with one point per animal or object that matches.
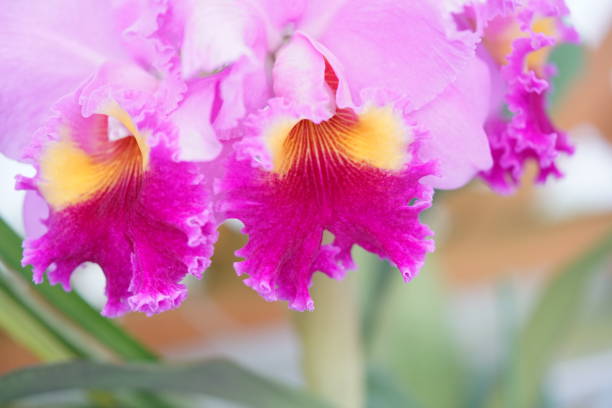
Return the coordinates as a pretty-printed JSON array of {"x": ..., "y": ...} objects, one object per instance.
[{"x": 118, "y": 197}]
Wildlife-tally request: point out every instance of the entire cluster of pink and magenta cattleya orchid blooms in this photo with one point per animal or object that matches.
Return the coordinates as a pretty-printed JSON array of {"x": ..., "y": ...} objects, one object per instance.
[{"x": 318, "y": 124}]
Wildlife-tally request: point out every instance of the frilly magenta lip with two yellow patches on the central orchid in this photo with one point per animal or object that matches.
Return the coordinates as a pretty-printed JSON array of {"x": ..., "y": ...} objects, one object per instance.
[{"x": 355, "y": 175}]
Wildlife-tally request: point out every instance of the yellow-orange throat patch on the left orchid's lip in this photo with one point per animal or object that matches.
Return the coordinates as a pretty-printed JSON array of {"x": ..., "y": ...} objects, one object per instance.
[{"x": 71, "y": 174}]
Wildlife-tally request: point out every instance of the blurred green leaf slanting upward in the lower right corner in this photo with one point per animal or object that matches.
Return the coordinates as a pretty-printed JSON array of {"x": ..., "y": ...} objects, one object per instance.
[{"x": 547, "y": 327}]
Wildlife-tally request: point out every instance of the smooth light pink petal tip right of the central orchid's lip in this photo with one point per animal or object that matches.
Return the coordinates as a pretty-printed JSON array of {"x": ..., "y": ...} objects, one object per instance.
[{"x": 455, "y": 120}]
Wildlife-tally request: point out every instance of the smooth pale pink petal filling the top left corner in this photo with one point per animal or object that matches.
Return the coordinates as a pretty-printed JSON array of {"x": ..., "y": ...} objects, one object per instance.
[{"x": 47, "y": 49}]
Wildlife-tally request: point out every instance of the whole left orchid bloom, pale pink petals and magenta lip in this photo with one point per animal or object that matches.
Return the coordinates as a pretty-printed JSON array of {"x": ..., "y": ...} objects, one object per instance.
[{"x": 89, "y": 100}]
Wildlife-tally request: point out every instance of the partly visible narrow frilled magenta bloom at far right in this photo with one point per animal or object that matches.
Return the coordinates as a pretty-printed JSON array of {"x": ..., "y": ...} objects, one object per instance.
[{"x": 517, "y": 39}]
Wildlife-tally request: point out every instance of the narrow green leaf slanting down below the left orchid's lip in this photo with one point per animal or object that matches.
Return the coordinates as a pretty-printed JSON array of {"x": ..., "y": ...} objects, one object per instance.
[{"x": 72, "y": 305}]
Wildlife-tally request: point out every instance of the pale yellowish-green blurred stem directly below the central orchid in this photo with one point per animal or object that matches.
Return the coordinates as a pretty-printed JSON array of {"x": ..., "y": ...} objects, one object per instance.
[{"x": 331, "y": 349}]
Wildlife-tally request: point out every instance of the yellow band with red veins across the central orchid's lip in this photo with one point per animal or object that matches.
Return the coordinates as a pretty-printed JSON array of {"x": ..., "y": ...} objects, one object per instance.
[{"x": 376, "y": 137}]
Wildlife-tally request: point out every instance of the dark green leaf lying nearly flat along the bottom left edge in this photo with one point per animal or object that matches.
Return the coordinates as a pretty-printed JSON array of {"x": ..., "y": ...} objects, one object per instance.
[{"x": 214, "y": 378}]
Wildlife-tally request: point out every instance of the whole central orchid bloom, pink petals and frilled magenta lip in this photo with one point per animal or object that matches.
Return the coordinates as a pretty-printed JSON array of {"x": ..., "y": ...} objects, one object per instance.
[{"x": 354, "y": 112}]
